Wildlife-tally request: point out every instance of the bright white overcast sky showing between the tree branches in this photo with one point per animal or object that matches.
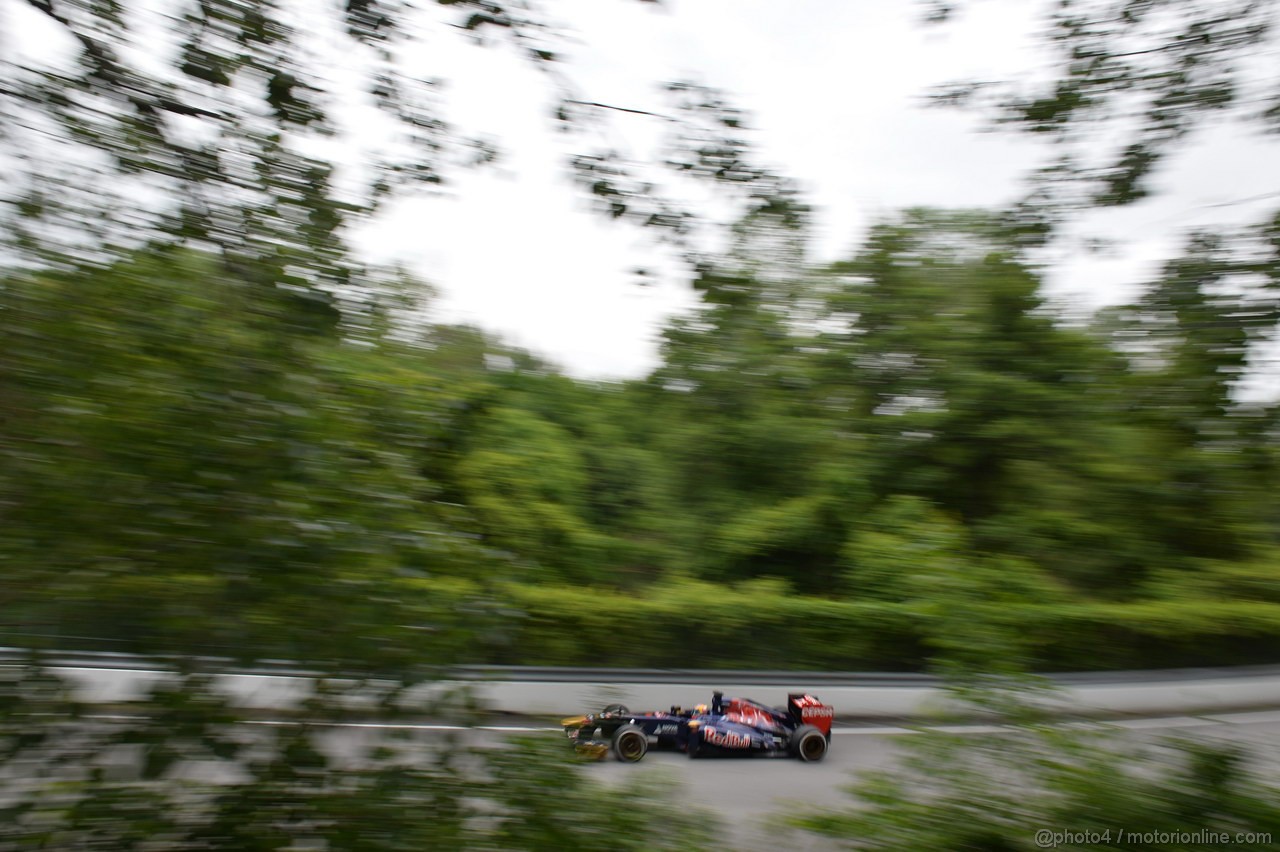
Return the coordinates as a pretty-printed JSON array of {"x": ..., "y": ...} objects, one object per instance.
[{"x": 835, "y": 90}]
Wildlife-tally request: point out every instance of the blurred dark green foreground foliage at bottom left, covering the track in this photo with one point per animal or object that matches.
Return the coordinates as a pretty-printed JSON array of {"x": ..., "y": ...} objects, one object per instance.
[{"x": 185, "y": 772}]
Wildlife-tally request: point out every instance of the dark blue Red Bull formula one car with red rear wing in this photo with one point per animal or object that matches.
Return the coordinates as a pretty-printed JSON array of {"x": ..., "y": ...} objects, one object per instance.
[{"x": 733, "y": 727}]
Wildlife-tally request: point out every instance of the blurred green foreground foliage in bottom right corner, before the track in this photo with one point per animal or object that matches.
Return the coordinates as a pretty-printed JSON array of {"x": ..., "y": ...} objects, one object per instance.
[{"x": 957, "y": 793}]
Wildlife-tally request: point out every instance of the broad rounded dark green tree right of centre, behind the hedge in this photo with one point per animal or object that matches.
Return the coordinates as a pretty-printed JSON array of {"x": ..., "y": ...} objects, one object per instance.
[{"x": 976, "y": 398}]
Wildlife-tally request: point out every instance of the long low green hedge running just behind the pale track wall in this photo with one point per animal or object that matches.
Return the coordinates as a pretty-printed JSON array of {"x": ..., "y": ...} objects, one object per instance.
[{"x": 964, "y": 622}]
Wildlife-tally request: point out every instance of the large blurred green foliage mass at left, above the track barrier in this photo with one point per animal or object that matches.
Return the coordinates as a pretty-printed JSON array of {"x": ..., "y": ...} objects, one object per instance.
[{"x": 182, "y": 473}]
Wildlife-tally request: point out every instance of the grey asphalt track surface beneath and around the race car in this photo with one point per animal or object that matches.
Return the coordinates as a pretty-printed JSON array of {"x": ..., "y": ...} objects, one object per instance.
[{"x": 748, "y": 795}]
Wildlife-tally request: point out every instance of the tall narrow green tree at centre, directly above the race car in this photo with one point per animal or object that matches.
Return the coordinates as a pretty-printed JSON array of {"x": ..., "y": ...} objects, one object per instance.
[{"x": 766, "y": 474}]
